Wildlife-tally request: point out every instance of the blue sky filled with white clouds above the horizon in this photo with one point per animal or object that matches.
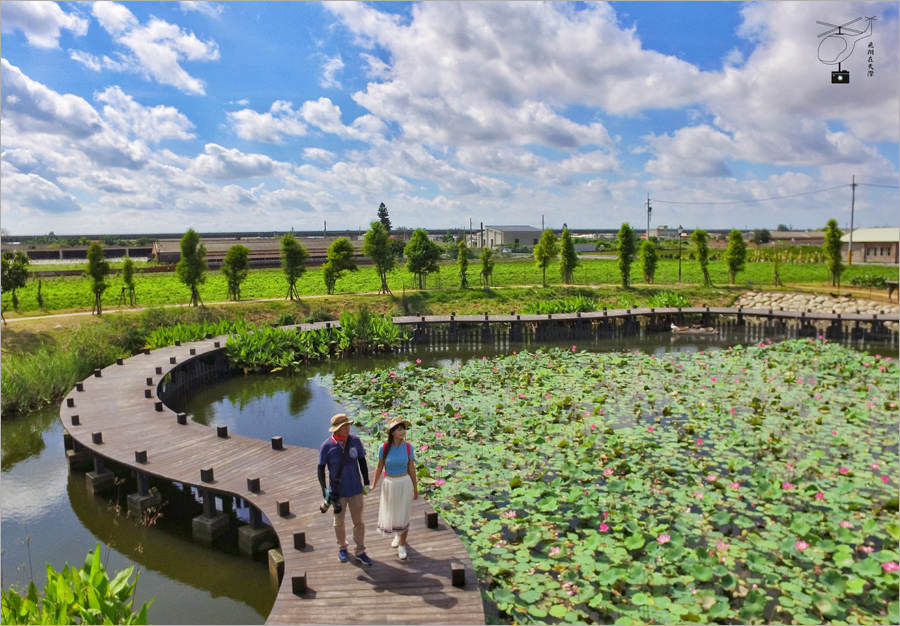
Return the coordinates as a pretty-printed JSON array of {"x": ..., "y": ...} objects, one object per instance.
[{"x": 160, "y": 116}]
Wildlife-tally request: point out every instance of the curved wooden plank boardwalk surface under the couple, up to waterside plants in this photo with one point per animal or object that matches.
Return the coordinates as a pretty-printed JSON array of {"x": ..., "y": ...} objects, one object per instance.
[{"x": 416, "y": 591}]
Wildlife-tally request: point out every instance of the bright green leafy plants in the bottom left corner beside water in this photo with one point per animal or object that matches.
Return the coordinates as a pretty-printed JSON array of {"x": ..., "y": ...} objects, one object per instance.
[{"x": 77, "y": 596}]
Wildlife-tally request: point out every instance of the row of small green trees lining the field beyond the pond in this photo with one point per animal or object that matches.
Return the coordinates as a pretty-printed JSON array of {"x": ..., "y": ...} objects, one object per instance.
[{"x": 421, "y": 253}]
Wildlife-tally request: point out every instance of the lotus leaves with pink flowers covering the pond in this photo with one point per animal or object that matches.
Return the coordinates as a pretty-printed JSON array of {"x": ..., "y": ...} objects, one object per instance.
[{"x": 749, "y": 485}]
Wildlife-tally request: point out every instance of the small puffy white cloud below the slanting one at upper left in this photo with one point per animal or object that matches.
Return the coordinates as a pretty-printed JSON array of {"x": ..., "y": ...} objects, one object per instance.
[{"x": 152, "y": 124}]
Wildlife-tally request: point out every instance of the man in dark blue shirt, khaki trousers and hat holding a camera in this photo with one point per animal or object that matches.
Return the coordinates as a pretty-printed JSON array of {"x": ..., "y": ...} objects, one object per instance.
[{"x": 345, "y": 457}]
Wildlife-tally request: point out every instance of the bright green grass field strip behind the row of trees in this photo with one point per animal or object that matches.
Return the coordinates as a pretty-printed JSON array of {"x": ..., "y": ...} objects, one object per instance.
[{"x": 73, "y": 292}]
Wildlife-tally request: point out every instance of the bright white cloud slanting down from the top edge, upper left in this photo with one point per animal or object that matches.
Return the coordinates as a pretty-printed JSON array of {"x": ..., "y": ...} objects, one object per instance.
[{"x": 156, "y": 49}]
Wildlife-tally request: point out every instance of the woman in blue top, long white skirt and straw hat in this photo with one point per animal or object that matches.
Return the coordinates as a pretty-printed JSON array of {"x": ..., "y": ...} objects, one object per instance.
[{"x": 396, "y": 463}]
